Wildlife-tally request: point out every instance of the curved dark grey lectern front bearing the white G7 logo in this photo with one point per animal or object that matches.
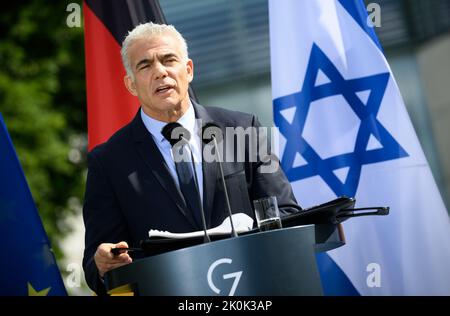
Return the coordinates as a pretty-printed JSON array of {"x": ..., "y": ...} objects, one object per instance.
[{"x": 278, "y": 262}]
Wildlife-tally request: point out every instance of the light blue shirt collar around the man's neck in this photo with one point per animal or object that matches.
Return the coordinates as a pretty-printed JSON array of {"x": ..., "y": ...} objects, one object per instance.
[{"x": 155, "y": 127}]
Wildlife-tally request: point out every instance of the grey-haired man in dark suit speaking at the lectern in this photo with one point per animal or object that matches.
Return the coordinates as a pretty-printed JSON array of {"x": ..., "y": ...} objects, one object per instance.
[{"x": 133, "y": 182}]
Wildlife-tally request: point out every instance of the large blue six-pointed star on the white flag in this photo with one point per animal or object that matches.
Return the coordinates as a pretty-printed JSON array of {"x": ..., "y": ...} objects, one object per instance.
[{"x": 291, "y": 114}]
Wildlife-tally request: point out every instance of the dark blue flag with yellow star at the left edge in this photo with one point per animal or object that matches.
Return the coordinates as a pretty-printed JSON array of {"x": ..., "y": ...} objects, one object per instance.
[{"x": 27, "y": 266}]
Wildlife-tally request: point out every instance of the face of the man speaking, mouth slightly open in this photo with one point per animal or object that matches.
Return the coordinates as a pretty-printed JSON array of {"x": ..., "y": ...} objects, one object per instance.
[{"x": 161, "y": 76}]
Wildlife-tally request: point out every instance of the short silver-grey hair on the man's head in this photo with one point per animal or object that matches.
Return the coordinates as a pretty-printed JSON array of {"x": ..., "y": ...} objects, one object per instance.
[{"x": 148, "y": 31}]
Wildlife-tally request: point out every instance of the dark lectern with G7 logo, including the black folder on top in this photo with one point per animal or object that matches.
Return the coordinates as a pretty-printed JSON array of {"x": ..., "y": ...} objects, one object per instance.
[{"x": 277, "y": 262}]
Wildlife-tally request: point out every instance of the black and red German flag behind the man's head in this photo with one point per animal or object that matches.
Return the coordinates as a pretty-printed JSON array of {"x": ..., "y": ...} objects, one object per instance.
[{"x": 106, "y": 23}]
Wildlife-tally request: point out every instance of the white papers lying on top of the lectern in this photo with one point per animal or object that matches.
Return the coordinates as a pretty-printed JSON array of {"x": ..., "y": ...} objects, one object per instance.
[{"x": 242, "y": 223}]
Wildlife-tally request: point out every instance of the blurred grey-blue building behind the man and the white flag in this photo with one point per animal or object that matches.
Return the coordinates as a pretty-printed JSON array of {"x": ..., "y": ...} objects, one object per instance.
[{"x": 229, "y": 43}]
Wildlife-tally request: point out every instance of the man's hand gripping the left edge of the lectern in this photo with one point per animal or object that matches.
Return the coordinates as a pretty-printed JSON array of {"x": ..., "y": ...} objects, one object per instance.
[{"x": 106, "y": 261}]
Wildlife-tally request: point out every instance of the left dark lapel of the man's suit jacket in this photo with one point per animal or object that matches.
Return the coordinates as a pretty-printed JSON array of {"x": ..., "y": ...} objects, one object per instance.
[{"x": 150, "y": 153}]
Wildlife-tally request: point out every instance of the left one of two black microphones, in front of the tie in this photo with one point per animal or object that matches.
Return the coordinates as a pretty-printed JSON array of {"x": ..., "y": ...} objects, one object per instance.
[{"x": 177, "y": 135}]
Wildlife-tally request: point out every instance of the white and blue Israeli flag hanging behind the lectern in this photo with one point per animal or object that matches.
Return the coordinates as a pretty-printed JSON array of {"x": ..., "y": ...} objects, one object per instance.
[{"x": 345, "y": 131}]
